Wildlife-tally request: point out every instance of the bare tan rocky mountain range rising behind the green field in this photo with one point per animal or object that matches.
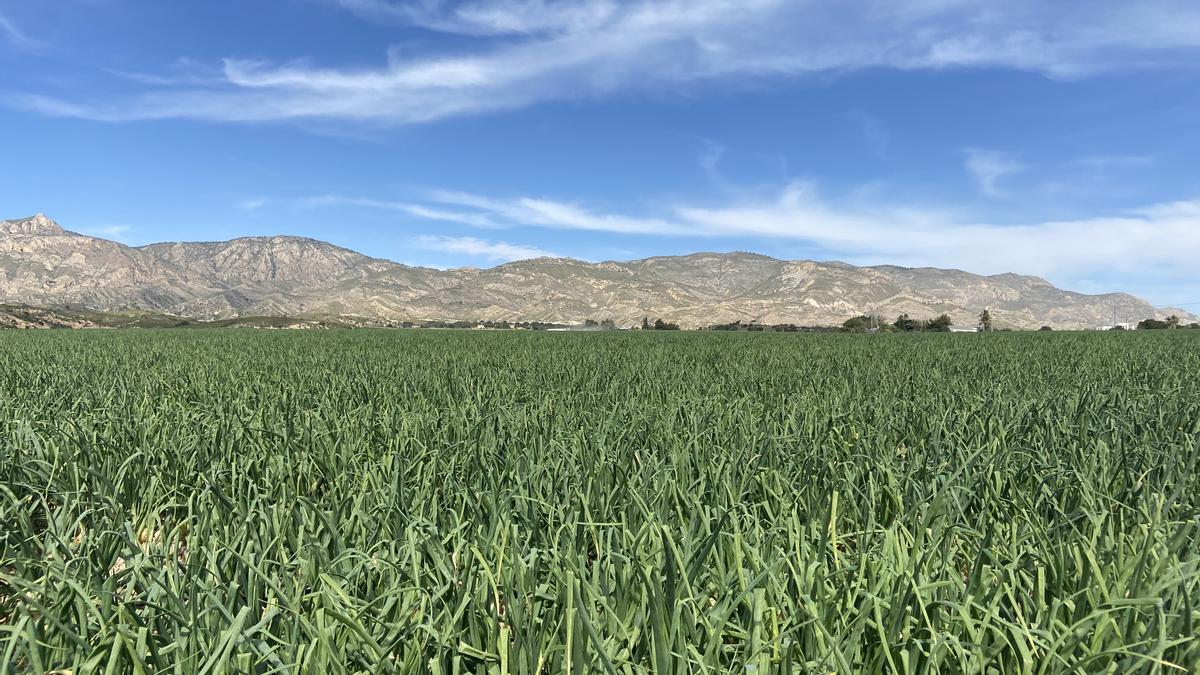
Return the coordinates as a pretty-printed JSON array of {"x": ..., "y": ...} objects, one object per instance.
[{"x": 44, "y": 265}]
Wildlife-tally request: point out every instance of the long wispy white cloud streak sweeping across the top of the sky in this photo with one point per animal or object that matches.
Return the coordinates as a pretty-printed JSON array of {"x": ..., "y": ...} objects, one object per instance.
[{"x": 533, "y": 51}]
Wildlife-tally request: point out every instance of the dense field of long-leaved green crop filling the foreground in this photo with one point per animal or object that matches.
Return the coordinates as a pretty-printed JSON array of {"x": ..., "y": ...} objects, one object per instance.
[{"x": 447, "y": 503}]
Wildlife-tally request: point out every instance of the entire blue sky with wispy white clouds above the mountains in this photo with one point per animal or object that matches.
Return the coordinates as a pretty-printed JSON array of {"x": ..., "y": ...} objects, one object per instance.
[{"x": 1051, "y": 139}]
